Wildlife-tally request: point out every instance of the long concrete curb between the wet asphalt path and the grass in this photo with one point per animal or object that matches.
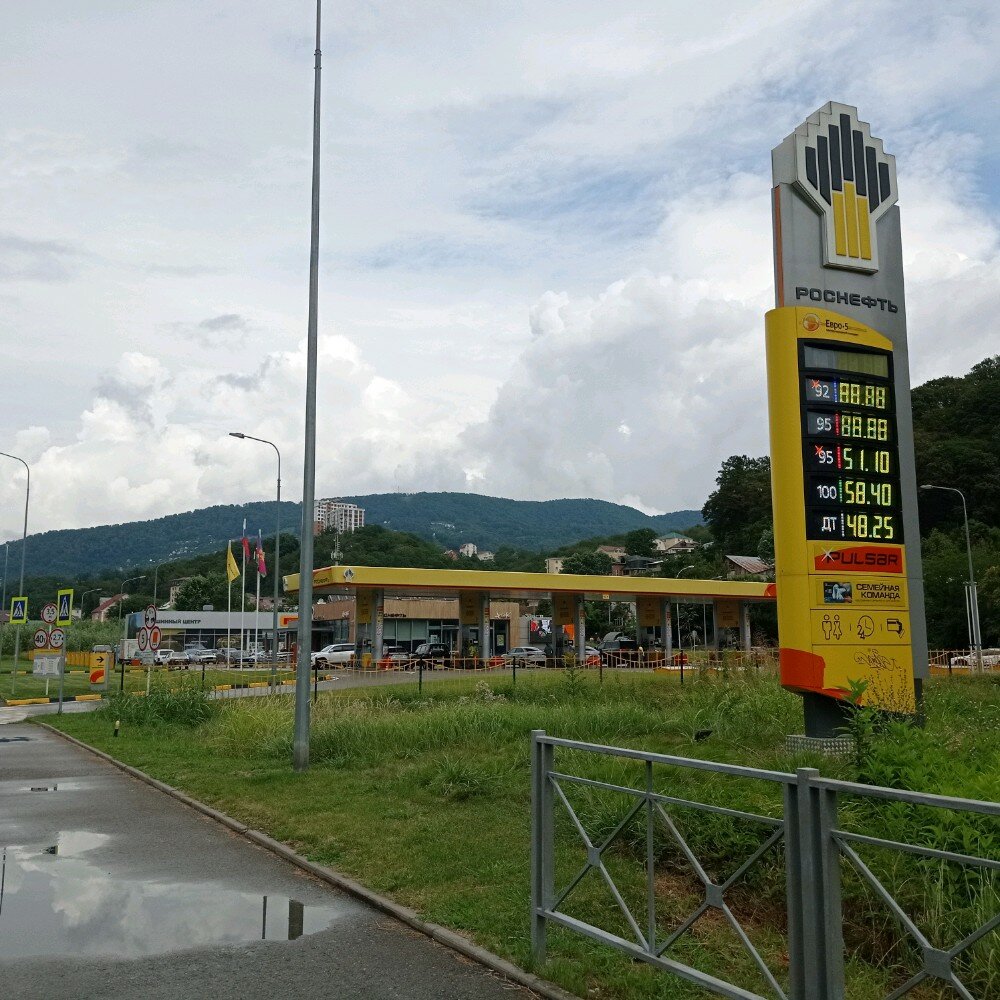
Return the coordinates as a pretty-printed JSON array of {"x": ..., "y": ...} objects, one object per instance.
[{"x": 442, "y": 935}]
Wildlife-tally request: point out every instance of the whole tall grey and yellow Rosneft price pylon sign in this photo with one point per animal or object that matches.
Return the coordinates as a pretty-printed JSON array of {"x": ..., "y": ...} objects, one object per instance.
[{"x": 846, "y": 532}]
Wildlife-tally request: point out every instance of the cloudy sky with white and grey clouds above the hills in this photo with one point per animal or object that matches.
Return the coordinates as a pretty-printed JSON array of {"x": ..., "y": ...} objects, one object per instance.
[{"x": 545, "y": 242}]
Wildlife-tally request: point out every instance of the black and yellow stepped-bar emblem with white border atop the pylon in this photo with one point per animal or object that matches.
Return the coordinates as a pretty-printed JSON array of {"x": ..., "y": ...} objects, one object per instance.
[{"x": 847, "y": 175}]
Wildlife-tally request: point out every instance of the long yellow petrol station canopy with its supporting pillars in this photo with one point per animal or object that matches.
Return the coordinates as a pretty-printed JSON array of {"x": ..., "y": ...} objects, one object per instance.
[{"x": 371, "y": 587}]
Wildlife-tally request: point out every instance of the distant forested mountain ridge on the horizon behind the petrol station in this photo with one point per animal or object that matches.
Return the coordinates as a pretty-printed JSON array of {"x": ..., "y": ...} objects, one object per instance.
[{"x": 444, "y": 519}]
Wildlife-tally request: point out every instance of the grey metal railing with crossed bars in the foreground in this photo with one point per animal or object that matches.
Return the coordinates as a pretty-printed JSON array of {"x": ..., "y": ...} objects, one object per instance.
[{"x": 816, "y": 846}]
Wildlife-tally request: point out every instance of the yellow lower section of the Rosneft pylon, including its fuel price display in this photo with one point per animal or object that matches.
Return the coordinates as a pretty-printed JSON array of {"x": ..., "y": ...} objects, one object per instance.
[{"x": 843, "y": 598}]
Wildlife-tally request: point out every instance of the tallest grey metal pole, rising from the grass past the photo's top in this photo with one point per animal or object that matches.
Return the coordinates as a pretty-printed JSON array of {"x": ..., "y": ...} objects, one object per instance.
[{"x": 300, "y": 740}]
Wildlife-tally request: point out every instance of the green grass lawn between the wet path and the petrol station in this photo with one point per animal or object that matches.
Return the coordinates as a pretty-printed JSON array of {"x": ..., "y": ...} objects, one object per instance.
[{"x": 427, "y": 800}]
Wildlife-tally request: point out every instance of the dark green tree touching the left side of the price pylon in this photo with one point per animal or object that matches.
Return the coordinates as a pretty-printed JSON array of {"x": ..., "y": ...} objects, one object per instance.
[{"x": 738, "y": 512}]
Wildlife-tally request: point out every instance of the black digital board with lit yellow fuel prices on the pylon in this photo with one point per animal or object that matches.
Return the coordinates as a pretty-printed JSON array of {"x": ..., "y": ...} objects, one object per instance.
[{"x": 848, "y": 427}]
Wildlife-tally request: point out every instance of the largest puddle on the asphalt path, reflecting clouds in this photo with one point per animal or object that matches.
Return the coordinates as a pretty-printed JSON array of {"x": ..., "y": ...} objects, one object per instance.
[{"x": 56, "y": 901}]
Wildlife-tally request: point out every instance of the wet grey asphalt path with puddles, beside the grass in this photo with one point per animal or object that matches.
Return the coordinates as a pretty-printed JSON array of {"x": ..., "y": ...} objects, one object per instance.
[{"x": 111, "y": 889}]
